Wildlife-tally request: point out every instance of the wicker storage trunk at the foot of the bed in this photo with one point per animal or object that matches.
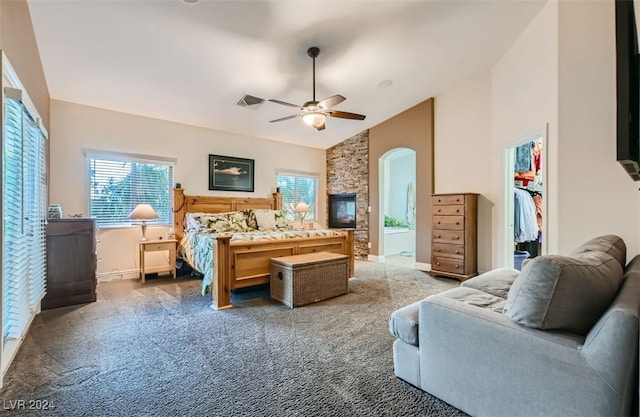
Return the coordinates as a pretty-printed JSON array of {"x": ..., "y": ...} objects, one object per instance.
[{"x": 303, "y": 279}]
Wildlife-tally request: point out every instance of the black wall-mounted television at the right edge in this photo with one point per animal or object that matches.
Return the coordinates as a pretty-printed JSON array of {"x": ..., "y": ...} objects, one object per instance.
[{"x": 627, "y": 88}]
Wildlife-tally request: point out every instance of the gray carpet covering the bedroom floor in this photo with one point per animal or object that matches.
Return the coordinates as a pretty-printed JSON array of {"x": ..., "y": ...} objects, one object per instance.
[{"x": 157, "y": 349}]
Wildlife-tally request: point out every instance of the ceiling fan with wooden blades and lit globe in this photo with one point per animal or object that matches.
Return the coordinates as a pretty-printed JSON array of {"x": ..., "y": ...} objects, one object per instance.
[{"x": 314, "y": 112}]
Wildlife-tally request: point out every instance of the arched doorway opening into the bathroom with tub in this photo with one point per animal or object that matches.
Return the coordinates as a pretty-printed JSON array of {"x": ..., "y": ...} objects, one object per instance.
[{"x": 397, "y": 242}]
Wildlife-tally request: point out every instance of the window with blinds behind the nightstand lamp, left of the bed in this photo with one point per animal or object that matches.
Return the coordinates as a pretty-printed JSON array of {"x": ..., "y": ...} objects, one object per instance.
[{"x": 119, "y": 182}]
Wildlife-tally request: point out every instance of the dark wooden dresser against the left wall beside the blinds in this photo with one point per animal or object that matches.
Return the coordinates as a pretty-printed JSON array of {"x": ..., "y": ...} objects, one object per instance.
[{"x": 71, "y": 262}]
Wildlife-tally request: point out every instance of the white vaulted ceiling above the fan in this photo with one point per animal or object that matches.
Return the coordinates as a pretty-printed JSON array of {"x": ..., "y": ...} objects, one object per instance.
[{"x": 192, "y": 62}]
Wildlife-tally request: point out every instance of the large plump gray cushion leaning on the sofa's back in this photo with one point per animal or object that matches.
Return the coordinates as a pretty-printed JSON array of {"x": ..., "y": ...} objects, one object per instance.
[{"x": 564, "y": 292}]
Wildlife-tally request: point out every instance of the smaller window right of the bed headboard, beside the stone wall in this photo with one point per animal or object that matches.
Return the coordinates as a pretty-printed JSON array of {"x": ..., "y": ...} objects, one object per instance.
[{"x": 298, "y": 188}]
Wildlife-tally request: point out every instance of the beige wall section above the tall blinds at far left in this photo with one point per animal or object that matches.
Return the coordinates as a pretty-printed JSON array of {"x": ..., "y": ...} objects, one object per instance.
[{"x": 18, "y": 42}]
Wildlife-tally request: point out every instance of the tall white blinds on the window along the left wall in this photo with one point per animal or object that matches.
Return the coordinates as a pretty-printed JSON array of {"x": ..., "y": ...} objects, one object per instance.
[{"x": 24, "y": 218}]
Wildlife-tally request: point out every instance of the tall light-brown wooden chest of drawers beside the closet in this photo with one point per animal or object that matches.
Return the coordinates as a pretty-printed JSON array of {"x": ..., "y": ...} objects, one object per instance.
[{"x": 454, "y": 235}]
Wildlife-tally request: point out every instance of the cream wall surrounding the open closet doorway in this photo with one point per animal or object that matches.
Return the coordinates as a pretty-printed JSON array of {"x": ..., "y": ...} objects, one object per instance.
[{"x": 559, "y": 73}]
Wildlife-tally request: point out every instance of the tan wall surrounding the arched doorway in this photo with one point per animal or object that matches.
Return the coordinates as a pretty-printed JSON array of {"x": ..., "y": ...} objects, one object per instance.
[{"x": 411, "y": 129}]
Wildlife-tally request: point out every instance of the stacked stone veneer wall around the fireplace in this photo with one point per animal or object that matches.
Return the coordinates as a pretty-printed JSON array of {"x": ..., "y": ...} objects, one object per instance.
[{"x": 348, "y": 172}]
